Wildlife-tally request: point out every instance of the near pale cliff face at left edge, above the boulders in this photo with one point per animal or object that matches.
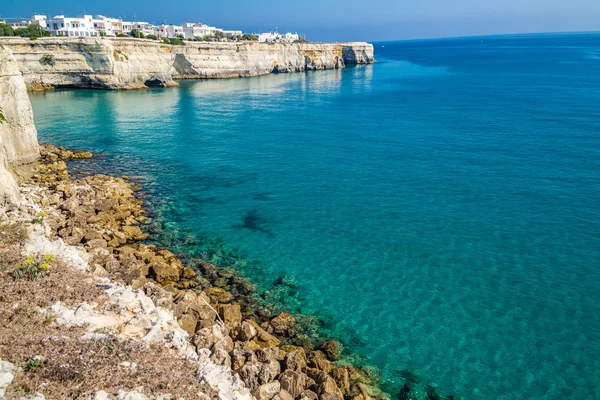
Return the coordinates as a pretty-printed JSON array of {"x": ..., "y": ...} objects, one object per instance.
[{"x": 18, "y": 136}]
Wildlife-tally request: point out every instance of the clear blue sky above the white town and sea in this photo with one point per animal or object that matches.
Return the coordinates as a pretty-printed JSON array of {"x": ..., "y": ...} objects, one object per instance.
[{"x": 337, "y": 20}]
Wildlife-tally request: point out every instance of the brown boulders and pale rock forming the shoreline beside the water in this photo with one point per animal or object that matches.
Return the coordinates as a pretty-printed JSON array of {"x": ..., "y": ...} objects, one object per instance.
[{"x": 229, "y": 332}]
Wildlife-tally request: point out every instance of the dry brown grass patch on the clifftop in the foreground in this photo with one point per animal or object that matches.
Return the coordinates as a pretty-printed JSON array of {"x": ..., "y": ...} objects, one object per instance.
[{"x": 71, "y": 367}]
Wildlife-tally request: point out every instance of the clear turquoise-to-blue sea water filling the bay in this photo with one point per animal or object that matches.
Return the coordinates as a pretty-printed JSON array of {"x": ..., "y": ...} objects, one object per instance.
[{"x": 440, "y": 209}]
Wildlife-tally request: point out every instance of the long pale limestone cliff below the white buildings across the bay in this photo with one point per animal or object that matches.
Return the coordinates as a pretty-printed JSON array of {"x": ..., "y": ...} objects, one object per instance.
[{"x": 126, "y": 63}]
